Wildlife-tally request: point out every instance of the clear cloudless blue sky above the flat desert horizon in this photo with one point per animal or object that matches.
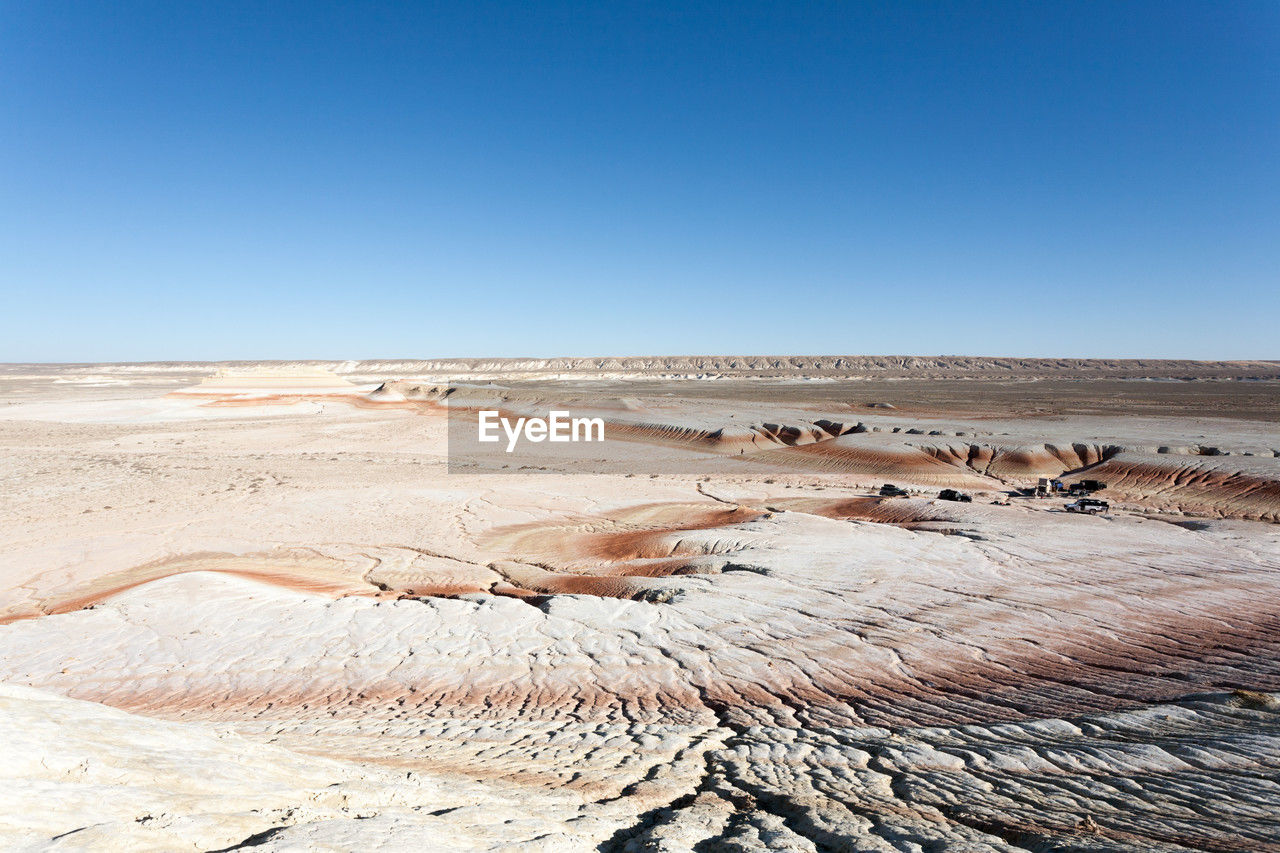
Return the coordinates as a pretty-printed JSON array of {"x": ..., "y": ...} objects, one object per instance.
[{"x": 378, "y": 180}]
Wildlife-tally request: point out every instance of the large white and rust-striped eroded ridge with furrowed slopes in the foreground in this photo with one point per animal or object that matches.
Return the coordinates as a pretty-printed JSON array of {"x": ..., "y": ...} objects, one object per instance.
[{"x": 783, "y": 695}]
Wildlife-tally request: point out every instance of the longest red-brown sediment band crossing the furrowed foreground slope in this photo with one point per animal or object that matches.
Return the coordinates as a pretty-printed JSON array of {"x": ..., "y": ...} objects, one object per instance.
[{"x": 1156, "y": 656}]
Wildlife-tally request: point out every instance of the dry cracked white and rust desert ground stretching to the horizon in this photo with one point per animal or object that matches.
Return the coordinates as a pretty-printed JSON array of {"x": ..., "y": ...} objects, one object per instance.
[{"x": 271, "y": 610}]
